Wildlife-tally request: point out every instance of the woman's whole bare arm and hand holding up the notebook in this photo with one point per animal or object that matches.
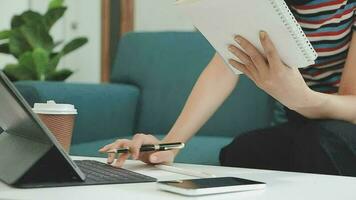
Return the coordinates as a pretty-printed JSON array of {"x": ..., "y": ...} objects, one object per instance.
[{"x": 287, "y": 85}]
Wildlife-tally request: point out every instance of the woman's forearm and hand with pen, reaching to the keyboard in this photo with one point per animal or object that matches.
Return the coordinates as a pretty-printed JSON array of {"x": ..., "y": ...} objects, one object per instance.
[{"x": 212, "y": 88}]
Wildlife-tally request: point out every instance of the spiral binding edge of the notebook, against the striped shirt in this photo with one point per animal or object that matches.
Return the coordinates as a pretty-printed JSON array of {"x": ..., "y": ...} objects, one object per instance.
[{"x": 287, "y": 16}]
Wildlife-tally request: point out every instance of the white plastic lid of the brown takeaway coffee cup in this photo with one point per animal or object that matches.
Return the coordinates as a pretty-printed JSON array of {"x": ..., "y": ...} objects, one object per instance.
[{"x": 52, "y": 108}]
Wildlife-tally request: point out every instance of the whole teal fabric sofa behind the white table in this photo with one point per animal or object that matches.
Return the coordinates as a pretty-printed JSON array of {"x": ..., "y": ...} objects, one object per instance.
[{"x": 150, "y": 81}]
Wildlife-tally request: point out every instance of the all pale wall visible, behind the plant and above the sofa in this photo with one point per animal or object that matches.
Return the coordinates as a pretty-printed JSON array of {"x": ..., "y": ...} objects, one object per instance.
[{"x": 156, "y": 15}]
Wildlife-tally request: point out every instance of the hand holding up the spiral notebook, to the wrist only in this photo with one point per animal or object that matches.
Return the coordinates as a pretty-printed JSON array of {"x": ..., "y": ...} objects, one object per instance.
[{"x": 284, "y": 83}]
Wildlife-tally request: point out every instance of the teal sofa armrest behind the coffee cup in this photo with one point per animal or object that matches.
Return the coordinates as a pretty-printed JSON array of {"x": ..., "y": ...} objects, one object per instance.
[{"x": 104, "y": 111}]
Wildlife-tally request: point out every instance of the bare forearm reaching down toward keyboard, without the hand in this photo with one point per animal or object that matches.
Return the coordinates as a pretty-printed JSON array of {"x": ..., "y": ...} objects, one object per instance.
[{"x": 212, "y": 88}]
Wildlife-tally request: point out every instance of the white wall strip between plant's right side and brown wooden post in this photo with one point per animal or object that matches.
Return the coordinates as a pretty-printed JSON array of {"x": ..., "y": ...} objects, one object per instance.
[{"x": 86, "y": 16}]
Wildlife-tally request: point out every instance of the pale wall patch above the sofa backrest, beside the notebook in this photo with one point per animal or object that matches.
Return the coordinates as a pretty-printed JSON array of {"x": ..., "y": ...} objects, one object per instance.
[{"x": 160, "y": 15}]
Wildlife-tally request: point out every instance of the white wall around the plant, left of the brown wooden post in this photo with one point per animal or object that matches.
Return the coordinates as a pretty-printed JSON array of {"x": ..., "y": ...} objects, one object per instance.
[{"x": 83, "y": 14}]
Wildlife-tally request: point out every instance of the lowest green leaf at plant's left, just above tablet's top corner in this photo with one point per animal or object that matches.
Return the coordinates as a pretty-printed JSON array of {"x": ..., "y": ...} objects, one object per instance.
[{"x": 17, "y": 73}]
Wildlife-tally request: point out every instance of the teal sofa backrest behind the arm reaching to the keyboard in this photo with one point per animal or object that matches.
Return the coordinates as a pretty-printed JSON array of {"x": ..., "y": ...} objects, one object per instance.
[{"x": 165, "y": 67}]
